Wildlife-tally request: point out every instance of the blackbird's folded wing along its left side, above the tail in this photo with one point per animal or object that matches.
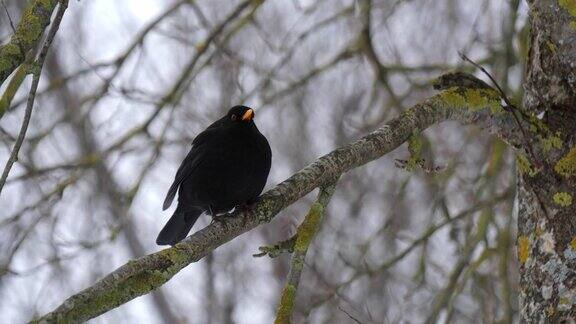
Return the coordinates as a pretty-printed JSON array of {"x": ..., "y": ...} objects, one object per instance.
[{"x": 188, "y": 165}]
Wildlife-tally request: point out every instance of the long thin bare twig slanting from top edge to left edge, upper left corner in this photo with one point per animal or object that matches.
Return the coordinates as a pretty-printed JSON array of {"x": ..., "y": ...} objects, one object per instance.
[{"x": 63, "y": 4}]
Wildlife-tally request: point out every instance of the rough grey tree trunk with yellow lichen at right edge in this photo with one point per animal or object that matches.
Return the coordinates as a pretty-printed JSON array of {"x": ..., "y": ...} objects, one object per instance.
[{"x": 547, "y": 177}]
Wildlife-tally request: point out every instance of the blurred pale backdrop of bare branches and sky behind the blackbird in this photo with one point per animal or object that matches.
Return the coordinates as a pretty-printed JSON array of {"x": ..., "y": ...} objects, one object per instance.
[{"x": 127, "y": 86}]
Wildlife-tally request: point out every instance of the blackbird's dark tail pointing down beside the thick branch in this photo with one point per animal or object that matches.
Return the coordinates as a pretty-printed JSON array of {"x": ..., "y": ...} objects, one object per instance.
[{"x": 178, "y": 226}]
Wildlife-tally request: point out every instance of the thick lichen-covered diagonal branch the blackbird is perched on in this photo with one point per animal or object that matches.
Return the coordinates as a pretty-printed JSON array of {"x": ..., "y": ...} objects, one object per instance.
[{"x": 140, "y": 276}]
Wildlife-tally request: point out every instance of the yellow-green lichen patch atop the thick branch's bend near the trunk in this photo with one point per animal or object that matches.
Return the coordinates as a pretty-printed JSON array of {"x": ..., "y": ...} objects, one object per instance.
[{"x": 472, "y": 99}]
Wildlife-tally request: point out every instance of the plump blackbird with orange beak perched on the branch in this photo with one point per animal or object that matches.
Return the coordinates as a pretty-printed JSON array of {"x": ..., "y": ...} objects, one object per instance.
[{"x": 227, "y": 167}]
